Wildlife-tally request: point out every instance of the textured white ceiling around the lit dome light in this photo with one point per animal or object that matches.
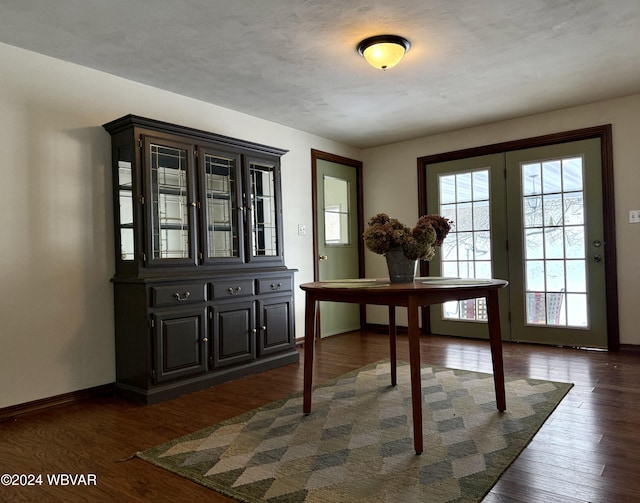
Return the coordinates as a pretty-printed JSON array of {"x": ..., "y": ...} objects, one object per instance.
[{"x": 294, "y": 62}]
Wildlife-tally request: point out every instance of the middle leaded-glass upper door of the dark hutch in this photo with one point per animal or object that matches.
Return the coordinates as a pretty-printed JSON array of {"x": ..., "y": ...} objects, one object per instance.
[{"x": 223, "y": 223}]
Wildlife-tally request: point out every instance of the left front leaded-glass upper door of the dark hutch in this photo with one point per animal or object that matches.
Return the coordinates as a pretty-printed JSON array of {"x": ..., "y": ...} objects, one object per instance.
[{"x": 170, "y": 202}]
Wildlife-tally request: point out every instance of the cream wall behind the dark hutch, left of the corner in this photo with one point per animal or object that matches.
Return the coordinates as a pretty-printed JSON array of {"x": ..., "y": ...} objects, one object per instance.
[{"x": 56, "y": 255}]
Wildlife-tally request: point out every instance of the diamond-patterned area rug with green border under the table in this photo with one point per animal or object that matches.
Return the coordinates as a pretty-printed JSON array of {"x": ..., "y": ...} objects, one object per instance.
[{"x": 357, "y": 443}]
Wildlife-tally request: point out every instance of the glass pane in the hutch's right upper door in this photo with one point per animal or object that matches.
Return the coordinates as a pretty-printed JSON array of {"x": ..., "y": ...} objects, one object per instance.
[{"x": 264, "y": 239}]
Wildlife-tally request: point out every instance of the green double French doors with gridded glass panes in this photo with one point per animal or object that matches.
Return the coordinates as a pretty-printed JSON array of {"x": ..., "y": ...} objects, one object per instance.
[{"x": 534, "y": 217}]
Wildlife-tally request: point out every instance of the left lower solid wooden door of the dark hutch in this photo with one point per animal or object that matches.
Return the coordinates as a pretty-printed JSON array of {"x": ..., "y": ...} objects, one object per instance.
[{"x": 180, "y": 343}]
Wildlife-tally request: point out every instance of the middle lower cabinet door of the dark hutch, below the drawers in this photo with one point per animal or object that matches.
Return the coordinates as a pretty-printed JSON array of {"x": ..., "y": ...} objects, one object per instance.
[{"x": 234, "y": 333}]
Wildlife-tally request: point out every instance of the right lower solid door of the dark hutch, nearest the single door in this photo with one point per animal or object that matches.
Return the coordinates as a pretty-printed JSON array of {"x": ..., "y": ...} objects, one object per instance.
[{"x": 276, "y": 327}]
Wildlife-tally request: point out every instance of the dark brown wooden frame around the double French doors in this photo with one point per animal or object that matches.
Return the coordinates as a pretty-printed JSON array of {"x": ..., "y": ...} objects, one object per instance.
[{"x": 604, "y": 133}]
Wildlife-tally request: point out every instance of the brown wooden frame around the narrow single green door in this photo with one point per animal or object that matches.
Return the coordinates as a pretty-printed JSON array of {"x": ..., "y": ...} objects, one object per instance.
[{"x": 317, "y": 155}]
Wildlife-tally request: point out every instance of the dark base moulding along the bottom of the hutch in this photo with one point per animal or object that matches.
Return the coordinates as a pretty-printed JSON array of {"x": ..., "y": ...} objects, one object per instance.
[{"x": 175, "y": 389}]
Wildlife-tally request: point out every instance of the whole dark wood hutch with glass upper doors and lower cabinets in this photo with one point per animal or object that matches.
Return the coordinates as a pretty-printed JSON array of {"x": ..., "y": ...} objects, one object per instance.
[{"x": 202, "y": 294}]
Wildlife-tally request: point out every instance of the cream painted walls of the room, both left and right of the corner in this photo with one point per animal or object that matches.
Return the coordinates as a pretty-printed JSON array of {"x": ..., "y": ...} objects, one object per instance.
[{"x": 56, "y": 257}]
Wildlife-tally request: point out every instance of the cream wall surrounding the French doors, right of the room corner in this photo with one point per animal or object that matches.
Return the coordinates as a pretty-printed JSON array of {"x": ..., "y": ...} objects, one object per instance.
[{"x": 391, "y": 171}]
